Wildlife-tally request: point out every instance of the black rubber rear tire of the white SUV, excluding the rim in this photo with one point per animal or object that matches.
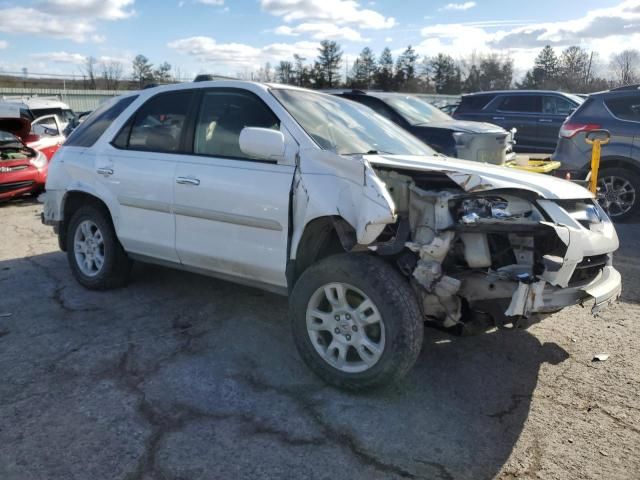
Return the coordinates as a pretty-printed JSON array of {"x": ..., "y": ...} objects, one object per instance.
[{"x": 115, "y": 270}]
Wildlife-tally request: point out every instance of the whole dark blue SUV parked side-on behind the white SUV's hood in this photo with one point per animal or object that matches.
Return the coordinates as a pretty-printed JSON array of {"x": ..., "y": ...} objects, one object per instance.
[{"x": 536, "y": 114}]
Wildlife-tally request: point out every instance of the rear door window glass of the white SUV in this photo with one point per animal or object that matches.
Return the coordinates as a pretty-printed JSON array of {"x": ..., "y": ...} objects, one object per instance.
[{"x": 157, "y": 126}]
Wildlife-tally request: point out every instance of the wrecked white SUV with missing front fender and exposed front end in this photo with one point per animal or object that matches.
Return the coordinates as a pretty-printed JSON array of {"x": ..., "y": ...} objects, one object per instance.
[{"x": 367, "y": 230}]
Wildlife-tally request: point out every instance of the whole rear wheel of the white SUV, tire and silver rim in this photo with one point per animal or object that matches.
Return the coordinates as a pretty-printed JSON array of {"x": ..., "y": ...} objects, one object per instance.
[{"x": 112, "y": 271}]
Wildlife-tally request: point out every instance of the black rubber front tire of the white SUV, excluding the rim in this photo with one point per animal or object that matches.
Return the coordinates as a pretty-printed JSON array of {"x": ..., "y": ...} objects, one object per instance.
[{"x": 396, "y": 302}]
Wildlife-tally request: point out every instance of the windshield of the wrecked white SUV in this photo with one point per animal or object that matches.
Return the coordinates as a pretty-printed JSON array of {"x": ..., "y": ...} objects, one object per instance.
[{"x": 346, "y": 127}]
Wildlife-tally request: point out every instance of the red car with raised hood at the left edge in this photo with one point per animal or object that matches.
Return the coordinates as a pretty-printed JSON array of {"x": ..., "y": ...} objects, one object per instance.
[{"x": 23, "y": 169}]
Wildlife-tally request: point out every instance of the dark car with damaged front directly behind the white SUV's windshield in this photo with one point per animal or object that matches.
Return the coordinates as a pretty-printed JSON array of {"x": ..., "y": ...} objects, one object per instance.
[{"x": 475, "y": 141}]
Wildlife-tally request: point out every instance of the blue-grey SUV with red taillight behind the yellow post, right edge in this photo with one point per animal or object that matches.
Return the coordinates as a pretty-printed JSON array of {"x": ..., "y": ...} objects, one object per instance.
[{"x": 617, "y": 111}]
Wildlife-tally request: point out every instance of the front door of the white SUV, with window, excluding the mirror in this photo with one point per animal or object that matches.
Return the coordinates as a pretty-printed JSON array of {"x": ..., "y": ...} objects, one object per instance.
[{"x": 232, "y": 211}]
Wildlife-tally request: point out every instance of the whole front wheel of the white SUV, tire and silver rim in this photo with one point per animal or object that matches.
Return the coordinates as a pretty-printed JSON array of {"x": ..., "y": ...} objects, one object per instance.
[{"x": 377, "y": 352}]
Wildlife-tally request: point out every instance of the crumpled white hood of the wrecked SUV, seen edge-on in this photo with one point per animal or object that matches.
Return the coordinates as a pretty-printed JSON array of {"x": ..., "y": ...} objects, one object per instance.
[{"x": 479, "y": 177}]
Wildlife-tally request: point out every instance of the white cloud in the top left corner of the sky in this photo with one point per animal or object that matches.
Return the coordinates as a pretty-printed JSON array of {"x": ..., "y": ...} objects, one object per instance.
[{"x": 66, "y": 19}]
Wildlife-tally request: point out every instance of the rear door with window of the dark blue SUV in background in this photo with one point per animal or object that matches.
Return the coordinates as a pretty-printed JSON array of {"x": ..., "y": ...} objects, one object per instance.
[{"x": 521, "y": 112}]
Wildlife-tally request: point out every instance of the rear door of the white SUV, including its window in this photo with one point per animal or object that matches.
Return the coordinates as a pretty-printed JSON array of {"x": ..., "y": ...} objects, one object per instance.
[{"x": 139, "y": 170}]
